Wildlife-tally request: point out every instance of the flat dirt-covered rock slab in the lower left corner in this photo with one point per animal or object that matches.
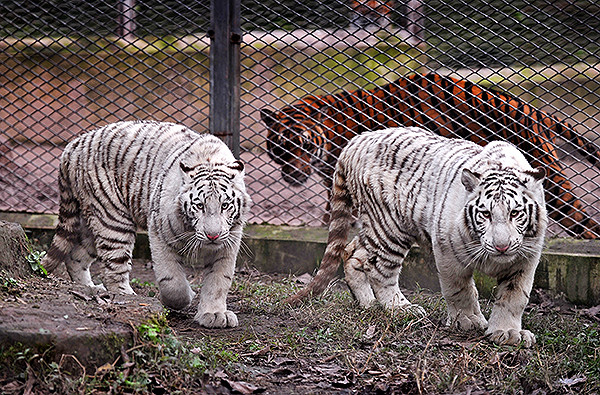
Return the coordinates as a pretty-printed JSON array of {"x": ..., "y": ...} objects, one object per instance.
[{"x": 70, "y": 324}]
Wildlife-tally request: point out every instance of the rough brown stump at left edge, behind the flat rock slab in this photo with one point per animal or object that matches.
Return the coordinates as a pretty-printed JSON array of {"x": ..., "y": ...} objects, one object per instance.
[{"x": 13, "y": 250}]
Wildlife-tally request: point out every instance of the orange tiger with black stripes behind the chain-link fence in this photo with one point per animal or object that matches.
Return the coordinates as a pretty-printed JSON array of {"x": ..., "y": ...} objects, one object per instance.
[{"x": 311, "y": 132}]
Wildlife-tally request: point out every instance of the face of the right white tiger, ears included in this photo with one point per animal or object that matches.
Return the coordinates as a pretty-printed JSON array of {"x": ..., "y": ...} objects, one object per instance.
[{"x": 505, "y": 213}]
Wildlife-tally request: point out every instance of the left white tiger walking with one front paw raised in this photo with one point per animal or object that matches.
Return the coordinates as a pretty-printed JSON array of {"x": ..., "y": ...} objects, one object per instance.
[{"x": 185, "y": 188}]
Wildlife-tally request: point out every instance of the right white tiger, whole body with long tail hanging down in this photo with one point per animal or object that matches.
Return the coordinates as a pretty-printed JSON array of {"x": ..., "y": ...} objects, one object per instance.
[{"x": 477, "y": 208}]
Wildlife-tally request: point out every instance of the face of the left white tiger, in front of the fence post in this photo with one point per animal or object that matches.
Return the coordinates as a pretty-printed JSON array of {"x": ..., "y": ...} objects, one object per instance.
[{"x": 213, "y": 201}]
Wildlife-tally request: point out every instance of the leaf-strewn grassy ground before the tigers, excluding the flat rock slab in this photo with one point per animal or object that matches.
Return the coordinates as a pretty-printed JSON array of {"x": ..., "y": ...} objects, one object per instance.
[{"x": 332, "y": 343}]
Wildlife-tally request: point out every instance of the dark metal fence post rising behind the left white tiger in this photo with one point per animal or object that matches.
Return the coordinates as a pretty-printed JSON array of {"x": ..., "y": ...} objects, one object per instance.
[{"x": 225, "y": 37}]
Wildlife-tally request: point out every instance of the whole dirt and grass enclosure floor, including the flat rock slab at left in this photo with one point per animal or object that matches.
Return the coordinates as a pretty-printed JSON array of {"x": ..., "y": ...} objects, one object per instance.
[{"x": 327, "y": 346}]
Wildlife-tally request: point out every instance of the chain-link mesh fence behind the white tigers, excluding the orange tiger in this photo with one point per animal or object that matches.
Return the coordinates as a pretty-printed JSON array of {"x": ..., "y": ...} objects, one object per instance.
[{"x": 67, "y": 67}]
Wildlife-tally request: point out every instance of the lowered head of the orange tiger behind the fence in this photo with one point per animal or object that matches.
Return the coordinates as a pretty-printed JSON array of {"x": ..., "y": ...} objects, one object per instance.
[{"x": 294, "y": 141}]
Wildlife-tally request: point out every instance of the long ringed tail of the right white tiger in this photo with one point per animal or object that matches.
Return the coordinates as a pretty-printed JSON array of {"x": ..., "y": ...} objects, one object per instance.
[{"x": 339, "y": 227}]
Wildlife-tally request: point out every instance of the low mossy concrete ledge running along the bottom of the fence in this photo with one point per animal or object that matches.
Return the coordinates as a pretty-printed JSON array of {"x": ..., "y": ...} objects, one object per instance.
[{"x": 568, "y": 266}]
